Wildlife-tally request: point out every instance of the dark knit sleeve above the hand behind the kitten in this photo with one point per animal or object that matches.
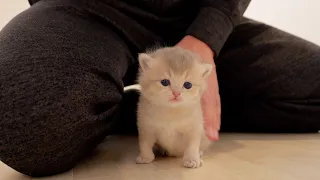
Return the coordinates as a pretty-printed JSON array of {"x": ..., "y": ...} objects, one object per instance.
[{"x": 216, "y": 20}]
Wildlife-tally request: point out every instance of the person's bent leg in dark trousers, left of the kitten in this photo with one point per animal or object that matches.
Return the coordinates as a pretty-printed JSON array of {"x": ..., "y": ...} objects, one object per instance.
[{"x": 61, "y": 84}]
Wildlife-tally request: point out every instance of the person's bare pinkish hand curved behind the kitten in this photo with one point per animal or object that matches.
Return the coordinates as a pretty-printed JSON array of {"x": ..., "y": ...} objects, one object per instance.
[{"x": 211, "y": 105}]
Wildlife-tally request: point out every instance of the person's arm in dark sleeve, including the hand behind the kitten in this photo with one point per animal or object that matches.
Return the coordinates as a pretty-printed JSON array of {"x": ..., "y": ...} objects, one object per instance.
[{"x": 206, "y": 36}]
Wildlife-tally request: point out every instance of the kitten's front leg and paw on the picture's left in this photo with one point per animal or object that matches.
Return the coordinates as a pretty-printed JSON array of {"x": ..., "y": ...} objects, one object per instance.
[{"x": 146, "y": 143}]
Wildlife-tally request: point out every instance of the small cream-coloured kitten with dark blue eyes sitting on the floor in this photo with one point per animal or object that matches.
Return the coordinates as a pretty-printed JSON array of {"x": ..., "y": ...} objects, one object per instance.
[{"x": 172, "y": 81}]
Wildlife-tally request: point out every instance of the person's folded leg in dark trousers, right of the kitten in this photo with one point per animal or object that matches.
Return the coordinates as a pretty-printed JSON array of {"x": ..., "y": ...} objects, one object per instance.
[{"x": 269, "y": 81}]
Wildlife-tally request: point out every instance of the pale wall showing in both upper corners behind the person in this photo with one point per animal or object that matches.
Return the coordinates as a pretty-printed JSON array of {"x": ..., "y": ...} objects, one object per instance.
[{"x": 300, "y": 17}]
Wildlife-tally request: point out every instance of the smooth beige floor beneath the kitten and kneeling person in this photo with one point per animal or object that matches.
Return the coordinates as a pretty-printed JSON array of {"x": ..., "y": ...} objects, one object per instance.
[{"x": 235, "y": 157}]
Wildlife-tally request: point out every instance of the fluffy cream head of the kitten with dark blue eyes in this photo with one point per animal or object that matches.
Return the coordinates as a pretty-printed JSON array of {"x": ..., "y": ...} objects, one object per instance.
[{"x": 172, "y": 76}]
